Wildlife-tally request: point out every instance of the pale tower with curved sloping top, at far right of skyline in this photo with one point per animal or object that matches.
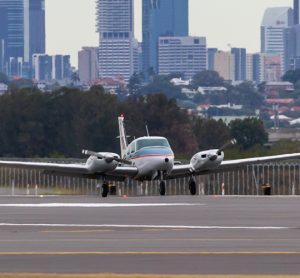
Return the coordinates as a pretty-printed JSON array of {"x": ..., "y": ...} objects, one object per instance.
[{"x": 274, "y": 22}]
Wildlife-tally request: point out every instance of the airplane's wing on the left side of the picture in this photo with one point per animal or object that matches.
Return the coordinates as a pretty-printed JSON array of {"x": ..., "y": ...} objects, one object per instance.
[{"x": 73, "y": 170}]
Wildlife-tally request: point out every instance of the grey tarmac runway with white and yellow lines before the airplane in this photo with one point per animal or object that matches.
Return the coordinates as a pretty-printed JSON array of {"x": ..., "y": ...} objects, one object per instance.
[{"x": 157, "y": 235}]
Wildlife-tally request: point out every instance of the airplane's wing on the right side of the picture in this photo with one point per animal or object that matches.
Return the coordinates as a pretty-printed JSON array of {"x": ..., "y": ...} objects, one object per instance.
[{"x": 186, "y": 170}]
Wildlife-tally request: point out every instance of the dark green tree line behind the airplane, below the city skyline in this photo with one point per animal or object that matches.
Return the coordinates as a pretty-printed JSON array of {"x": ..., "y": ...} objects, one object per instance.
[{"x": 63, "y": 122}]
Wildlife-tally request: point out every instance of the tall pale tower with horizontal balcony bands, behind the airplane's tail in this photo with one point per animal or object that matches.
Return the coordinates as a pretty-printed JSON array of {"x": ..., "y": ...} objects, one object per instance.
[{"x": 116, "y": 38}]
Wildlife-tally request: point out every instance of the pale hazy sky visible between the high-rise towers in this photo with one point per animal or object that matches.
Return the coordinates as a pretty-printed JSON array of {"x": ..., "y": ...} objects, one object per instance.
[{"x": 71, "y": 24}]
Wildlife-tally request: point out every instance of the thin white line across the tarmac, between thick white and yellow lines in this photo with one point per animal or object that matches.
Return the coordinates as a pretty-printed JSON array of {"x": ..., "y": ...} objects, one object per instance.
[{"x": 146, "y": 226}]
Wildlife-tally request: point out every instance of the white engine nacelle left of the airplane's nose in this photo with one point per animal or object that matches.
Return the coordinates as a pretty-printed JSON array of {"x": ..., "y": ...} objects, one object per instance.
[{"x": 102, "y": 165}]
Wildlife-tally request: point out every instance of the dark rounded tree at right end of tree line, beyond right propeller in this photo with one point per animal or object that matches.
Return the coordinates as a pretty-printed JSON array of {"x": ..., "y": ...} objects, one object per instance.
[{"x": 248, "y": 132}]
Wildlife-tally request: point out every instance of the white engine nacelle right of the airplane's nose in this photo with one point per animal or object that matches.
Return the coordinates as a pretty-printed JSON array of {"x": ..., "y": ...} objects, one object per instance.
[{"x": 207, "y": 160}]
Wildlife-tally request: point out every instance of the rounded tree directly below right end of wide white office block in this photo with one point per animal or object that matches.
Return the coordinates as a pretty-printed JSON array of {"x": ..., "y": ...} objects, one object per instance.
[{"x": 207, "y": 78}]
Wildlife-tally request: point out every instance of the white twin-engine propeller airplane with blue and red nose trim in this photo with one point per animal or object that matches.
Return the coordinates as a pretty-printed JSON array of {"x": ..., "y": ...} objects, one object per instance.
[{"x": 146, "y": 158}]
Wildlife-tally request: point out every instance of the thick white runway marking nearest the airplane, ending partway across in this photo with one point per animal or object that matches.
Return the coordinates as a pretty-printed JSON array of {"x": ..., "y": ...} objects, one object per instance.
[{"x": 96, "y": 205}]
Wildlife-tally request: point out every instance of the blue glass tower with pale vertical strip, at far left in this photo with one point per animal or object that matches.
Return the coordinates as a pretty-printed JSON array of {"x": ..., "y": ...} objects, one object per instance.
[{"x": 22, "y": 30}]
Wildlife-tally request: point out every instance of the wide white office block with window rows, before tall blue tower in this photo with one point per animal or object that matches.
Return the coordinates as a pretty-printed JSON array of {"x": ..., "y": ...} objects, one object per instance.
[{"x": 187, "y": 55}]
